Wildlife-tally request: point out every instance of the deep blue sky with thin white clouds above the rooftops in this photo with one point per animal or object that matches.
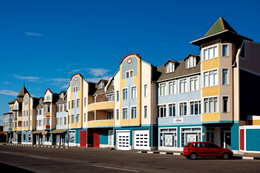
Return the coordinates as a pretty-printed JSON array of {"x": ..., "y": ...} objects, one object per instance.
[{"x": 43, "y": 43}]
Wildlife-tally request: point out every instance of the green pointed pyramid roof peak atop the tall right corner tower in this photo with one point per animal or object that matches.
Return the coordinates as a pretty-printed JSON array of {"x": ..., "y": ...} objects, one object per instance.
[{"x": 219, "y": 26}]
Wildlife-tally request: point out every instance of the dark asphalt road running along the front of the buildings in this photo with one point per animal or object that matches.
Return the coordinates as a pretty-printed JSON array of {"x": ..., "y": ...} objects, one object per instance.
[{"x": 34, "y": 159}]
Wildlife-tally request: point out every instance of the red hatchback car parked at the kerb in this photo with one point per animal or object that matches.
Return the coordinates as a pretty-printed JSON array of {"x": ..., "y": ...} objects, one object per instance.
[{"x": 193, "y": 150}]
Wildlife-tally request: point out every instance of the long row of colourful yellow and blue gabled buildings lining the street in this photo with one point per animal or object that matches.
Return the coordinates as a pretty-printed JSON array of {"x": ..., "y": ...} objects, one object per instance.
[{"x": 206, "y": 97}]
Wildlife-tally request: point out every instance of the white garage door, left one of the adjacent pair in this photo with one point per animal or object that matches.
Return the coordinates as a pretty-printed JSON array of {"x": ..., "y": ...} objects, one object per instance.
[{"x": 123, "y": 140}]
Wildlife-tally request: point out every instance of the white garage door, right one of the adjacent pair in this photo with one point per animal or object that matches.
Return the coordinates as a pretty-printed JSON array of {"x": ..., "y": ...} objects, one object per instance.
[{"x": 141, "y": 139}]
